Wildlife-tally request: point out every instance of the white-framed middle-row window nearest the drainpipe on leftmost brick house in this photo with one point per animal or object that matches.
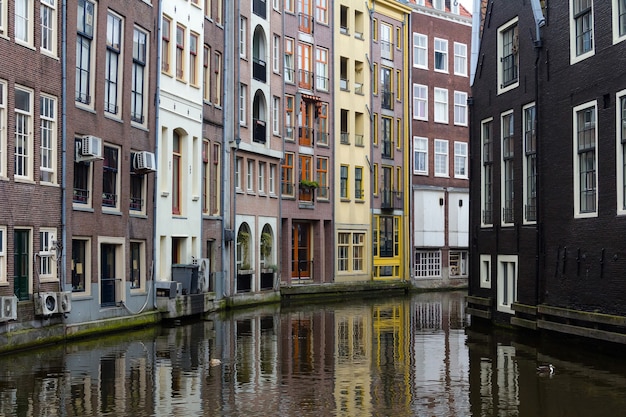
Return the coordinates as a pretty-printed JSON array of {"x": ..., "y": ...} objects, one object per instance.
[{"x": 48, "y": 133}]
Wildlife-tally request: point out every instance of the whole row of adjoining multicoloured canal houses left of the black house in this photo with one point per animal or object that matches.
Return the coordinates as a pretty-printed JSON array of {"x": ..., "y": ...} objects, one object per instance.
[{"x": 165, "y": 158}]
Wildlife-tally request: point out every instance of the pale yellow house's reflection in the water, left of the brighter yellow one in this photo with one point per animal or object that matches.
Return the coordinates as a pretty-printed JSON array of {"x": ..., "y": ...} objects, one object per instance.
[{"x": 353, "y": 353}]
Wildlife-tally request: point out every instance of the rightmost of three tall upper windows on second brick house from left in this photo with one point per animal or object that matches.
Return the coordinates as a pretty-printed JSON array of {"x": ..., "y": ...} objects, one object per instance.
[{"x": 137, "y": 94}]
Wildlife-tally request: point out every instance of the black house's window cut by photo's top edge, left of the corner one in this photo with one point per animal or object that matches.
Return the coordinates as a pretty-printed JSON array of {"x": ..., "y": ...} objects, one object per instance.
[{"x": 581, "y": 28}]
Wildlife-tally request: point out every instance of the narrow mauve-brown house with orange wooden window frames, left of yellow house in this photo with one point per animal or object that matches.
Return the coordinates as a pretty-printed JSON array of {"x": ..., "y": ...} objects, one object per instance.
[{"x": 308, "y": 130}]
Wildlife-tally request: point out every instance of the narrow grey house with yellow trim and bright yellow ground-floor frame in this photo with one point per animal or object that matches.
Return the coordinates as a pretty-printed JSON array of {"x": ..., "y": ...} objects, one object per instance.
[{"x": 388, "y": 162}]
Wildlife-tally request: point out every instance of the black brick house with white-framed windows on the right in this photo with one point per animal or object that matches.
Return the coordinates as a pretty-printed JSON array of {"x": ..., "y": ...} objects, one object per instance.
[{"x": 548, "y": 107}]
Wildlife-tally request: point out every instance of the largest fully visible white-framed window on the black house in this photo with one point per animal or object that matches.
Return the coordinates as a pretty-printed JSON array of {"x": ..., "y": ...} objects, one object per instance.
[{"x": 585, "y": 161}]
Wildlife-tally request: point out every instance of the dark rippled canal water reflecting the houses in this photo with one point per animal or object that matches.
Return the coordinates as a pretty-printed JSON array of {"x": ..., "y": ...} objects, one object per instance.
[{"x": 416, "y": 355}]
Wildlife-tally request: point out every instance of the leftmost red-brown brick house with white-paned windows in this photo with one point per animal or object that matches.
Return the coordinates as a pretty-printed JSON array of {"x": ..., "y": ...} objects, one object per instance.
[{"x": 31, "y": 171}]
